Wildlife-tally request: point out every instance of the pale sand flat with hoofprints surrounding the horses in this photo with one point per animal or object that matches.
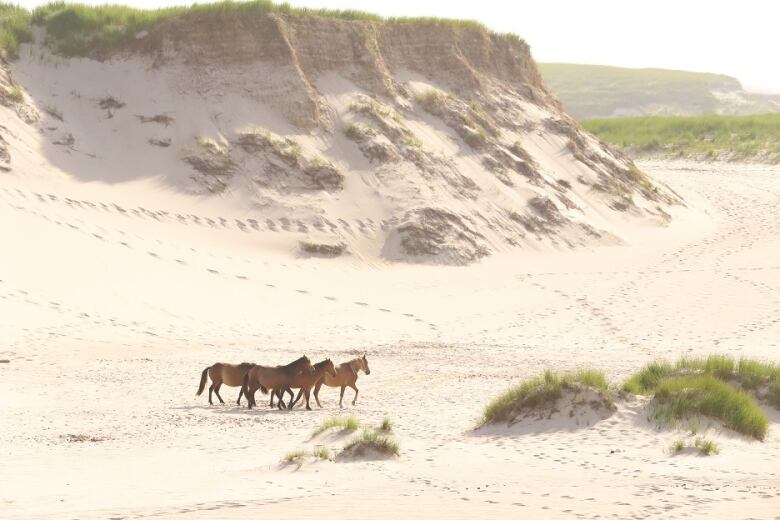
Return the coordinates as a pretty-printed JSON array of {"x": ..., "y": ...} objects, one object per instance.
[{"x": 108, "y": 316}]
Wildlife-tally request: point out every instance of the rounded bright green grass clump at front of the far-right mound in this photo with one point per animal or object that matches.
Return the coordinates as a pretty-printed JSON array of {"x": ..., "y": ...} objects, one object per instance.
[{"x": 681, "y": 398}]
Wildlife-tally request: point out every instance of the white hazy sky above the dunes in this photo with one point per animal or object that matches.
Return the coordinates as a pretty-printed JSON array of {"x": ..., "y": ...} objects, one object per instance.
[{"x": 739, "y": 38}]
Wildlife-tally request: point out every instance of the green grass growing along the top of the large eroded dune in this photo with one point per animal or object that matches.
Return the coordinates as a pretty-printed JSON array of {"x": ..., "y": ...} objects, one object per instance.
[{"x": 75, "y": 29}]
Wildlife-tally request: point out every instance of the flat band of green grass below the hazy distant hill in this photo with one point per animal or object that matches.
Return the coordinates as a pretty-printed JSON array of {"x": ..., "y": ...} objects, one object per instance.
[{"x": 703, "y": 137}]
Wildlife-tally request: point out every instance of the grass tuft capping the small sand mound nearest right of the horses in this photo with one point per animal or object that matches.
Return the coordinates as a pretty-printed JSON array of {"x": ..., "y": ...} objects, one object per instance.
[{"x": 540, "y": 391}]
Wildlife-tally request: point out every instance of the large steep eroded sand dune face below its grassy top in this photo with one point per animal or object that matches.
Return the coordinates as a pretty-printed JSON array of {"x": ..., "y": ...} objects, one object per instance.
[{"x": 441, "y": 140}]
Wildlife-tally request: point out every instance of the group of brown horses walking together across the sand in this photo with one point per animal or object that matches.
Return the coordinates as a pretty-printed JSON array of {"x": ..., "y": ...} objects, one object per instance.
[{"x": 276, "y": 380}]
